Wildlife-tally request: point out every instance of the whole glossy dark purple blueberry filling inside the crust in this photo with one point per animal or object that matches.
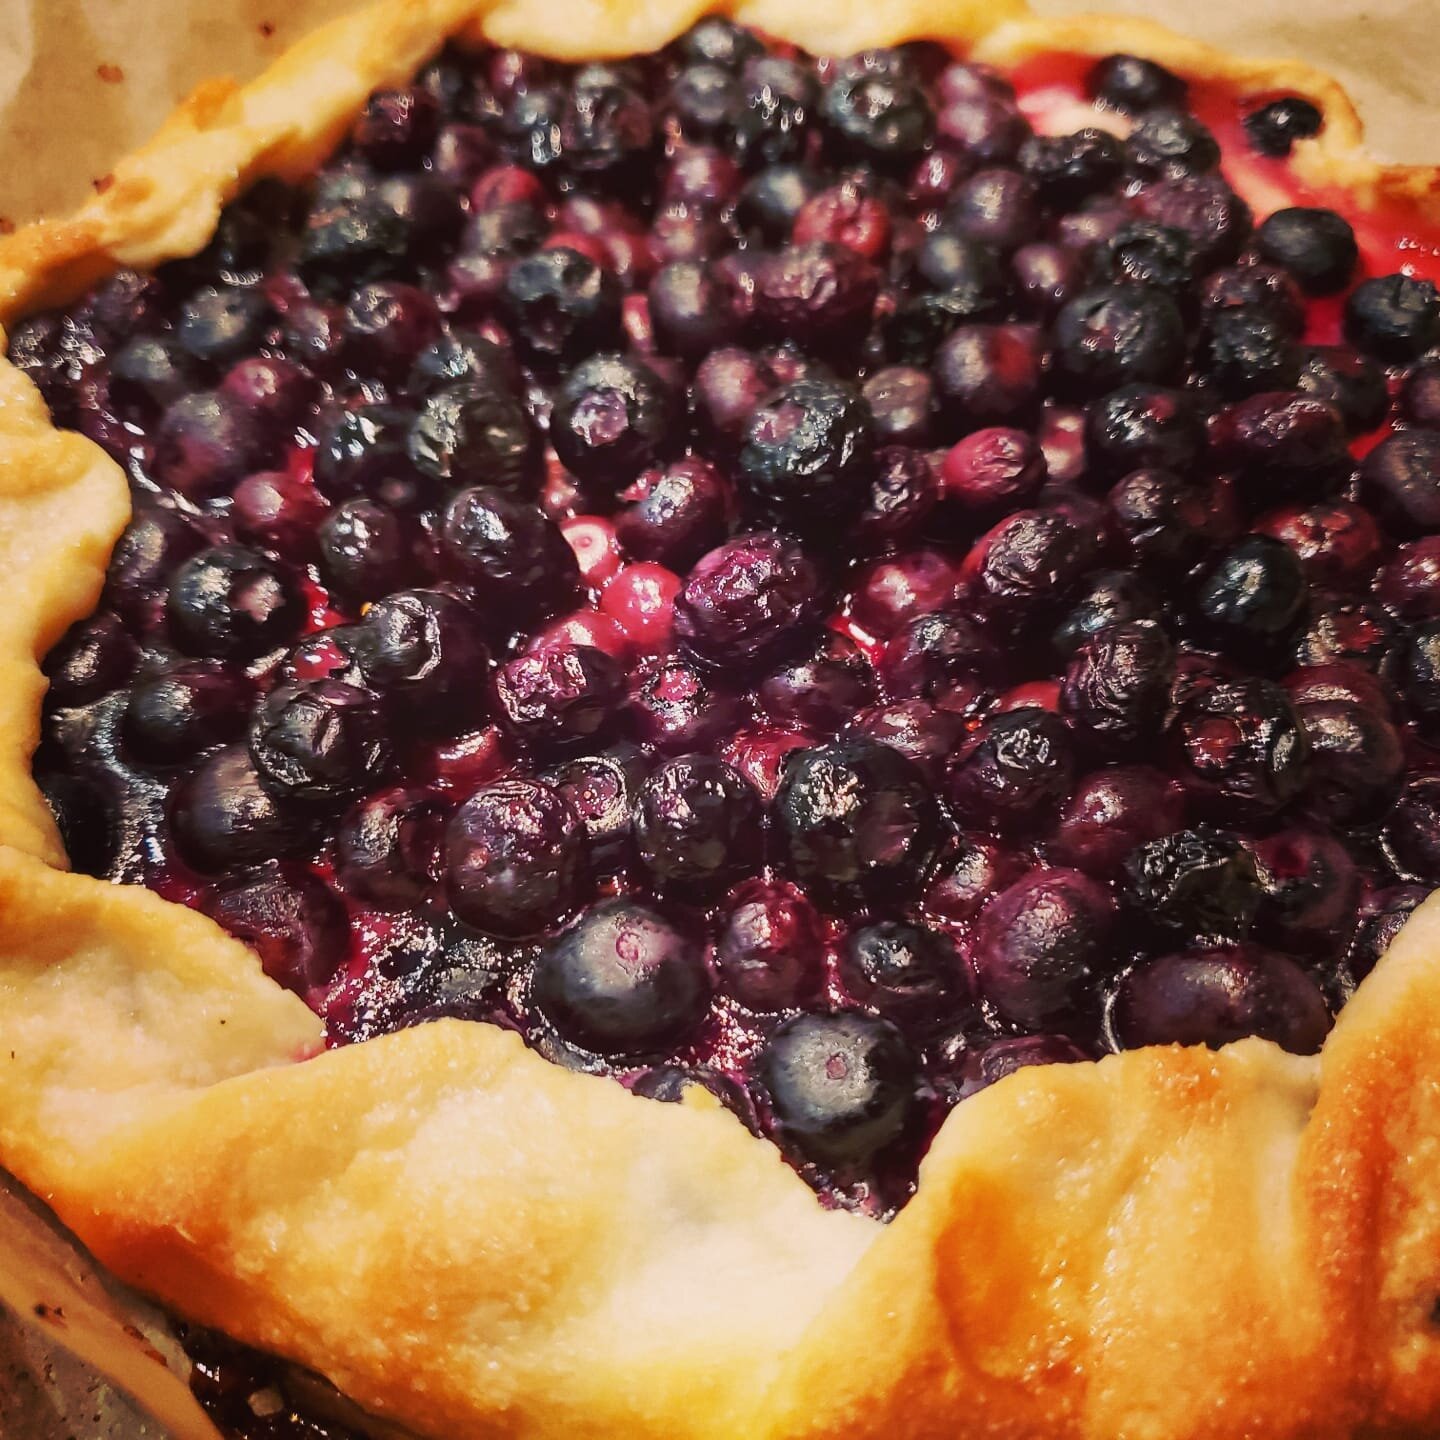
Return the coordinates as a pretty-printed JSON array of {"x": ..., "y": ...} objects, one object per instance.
[{"x": 823, "y": 581}]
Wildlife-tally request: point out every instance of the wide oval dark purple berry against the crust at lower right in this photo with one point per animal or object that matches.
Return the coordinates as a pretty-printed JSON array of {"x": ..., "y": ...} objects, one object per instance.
[{"x": 1215, "y": 997}]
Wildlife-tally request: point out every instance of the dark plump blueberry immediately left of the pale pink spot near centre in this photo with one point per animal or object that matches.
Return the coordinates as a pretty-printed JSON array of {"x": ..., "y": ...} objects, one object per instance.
[{"x": 509, "y": 552}]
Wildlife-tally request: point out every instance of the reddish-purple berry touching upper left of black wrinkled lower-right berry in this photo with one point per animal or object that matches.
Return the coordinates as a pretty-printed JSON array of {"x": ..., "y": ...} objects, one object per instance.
[{"x": 1112, "y": 813}]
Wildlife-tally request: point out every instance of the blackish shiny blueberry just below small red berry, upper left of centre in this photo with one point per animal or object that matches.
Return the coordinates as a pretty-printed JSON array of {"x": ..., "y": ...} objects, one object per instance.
[{"x": 561, "y": 306}]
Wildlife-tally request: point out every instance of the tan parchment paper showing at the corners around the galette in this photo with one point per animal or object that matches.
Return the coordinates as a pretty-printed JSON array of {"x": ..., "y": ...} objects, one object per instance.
[{"x": 84, "y": 81}]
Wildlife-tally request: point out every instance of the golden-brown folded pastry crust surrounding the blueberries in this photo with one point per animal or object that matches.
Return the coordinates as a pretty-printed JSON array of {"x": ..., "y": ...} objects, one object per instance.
[{"x": 467, "y": 1241}]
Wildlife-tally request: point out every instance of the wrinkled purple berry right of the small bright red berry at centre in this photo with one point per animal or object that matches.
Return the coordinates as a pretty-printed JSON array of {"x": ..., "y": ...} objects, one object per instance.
[{"x": 750, "y": 601}]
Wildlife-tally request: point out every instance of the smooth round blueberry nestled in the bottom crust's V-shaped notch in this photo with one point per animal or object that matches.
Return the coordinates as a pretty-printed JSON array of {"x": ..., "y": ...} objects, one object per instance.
[{"x": 843, "y": 1088}]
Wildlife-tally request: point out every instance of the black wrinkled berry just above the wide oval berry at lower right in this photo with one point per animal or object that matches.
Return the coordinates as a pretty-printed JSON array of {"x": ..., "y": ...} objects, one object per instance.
[{"x": 1199, "y": 883}]
